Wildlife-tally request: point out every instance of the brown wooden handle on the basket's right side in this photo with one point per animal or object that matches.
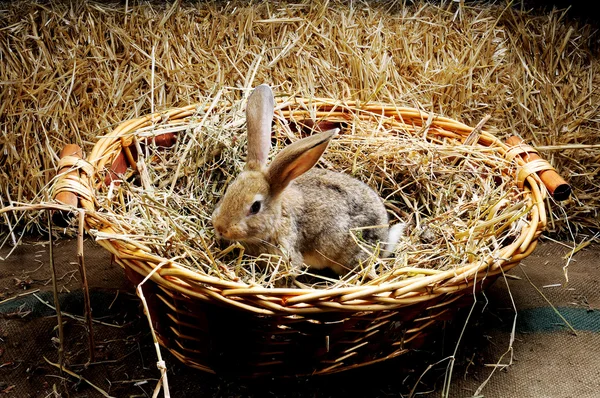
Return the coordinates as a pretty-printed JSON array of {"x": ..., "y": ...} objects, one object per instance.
[{"x": 556, "y": 185}]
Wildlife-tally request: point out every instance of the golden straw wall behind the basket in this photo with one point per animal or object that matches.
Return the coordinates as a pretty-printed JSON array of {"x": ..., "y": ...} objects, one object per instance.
[{"x": 70, "y": 71}]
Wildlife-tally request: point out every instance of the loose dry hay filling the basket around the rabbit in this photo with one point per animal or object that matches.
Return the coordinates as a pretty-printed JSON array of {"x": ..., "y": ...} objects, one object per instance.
[{"x": 460, "y": 198}]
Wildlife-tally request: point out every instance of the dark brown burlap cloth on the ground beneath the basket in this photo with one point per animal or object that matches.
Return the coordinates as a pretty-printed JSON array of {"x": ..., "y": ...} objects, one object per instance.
[{"x": 547, "y": 359}]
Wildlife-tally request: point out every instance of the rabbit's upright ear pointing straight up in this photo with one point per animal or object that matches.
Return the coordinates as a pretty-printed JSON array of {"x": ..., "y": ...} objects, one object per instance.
[{"x": 259, "y": 117}]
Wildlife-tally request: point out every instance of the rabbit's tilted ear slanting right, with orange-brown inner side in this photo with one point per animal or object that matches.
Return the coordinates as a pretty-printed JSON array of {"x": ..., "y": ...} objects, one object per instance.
[{"x": 296, "y": 159}]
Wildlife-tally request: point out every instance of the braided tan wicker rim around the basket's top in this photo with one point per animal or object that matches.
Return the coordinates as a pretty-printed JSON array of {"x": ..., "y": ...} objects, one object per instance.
[{"x": 171, "y": 275}]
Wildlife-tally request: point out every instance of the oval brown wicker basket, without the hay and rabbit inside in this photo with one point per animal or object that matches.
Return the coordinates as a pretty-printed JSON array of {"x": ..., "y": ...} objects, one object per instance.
[{"x": 225, "y": 327}]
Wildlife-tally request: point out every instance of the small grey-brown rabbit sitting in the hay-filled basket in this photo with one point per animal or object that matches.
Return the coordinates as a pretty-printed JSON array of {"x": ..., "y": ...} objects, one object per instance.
[{"x": 288, "y": 204}]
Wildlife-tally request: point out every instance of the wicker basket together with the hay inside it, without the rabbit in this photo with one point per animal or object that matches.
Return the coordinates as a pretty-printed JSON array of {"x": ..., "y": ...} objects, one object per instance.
[{"x": 217, "y": 310}]
